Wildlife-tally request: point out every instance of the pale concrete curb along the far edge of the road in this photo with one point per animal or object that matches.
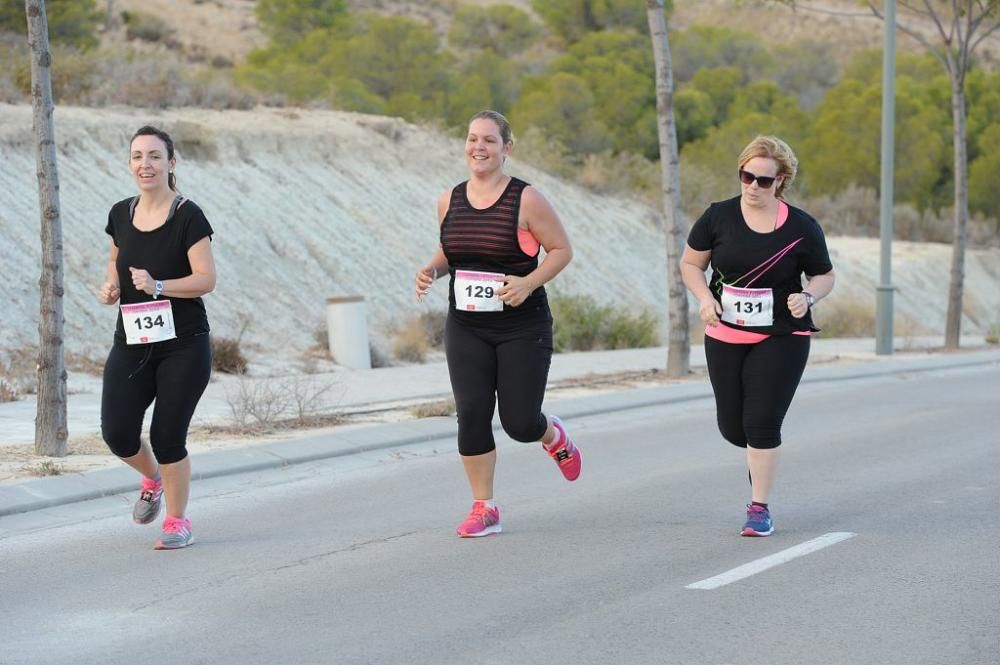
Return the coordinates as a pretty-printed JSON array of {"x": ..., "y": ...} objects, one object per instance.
[{"x": 49, "y": 492}]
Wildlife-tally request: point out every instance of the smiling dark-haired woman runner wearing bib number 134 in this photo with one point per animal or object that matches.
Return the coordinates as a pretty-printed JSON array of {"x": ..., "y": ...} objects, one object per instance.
[{"x": 160, "y": 266}]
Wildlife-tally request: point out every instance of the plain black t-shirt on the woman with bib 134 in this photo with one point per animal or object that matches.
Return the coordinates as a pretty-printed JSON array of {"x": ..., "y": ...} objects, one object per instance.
[{"x": 163, "y": 253}]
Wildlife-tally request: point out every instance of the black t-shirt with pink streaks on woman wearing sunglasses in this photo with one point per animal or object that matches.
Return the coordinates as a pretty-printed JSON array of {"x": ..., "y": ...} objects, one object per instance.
[{"x": 740, "y": 254}]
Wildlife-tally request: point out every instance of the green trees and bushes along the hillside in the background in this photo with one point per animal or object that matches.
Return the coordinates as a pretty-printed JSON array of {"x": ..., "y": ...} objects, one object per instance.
[{"x": 580, "y": 82}]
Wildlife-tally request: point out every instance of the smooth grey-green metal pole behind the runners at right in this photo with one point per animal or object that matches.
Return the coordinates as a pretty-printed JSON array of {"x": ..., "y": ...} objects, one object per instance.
[{"x": 883, "y": 307}]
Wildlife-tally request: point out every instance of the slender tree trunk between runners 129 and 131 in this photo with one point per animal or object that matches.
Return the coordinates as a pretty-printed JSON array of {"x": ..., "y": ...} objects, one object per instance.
[{"x": 679, "y": 347}]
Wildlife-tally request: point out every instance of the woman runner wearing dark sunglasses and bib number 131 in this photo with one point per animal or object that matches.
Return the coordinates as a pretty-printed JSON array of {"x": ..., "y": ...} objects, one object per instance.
[{"x": 756, "y": 309}]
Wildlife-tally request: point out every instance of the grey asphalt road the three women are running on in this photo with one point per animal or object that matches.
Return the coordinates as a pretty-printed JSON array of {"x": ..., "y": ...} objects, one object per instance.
[{"x": 890, "y": 482}]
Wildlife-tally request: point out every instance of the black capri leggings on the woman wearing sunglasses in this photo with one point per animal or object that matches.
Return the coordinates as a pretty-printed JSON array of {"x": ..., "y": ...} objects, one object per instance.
[{"x": 754, "y": 385}]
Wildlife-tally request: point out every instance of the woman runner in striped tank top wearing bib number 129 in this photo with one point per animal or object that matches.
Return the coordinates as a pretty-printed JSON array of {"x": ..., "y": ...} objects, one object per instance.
[{"x": 498, "y": 336}]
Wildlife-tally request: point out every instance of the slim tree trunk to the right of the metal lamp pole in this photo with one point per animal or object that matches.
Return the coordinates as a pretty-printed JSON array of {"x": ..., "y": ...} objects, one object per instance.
[{"x": 953, "y": 320}]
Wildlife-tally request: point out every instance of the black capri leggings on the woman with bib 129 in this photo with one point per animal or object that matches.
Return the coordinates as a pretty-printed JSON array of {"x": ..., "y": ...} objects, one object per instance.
[{"x": 506, "y": 361}]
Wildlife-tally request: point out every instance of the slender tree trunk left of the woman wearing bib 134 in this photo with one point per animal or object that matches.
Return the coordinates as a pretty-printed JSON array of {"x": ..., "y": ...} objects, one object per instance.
[{"x": 50, "y": 419}]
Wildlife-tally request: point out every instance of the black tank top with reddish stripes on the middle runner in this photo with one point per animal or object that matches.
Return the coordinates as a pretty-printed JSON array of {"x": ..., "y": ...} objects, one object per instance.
[{"x": 486, "y": 240}]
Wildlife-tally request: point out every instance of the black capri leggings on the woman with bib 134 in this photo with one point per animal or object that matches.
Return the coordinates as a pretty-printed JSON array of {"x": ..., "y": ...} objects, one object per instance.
[{"x": 175, "y": 374}]
